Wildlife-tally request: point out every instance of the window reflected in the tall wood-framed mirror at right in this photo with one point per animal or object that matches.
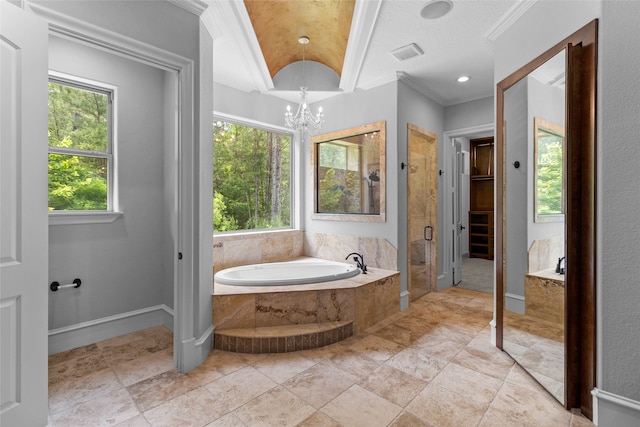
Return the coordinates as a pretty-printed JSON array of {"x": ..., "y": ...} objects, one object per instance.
[{"x": 549, "y": 171}]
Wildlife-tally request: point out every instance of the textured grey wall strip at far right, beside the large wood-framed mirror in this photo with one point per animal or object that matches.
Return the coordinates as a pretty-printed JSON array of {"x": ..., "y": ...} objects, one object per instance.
[{"x": 618, "y": 203}]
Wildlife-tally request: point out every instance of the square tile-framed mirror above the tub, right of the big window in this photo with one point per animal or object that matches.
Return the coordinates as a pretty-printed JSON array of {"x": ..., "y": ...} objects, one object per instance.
[{"x": 349, "y": 174}]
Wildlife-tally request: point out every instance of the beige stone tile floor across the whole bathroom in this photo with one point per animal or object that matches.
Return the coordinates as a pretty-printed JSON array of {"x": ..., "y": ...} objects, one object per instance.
[{"x": 430, "y": 365}]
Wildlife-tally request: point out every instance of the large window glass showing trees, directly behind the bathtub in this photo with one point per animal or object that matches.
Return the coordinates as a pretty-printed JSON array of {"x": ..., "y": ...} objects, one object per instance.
[{"x": 251, "y": 178}]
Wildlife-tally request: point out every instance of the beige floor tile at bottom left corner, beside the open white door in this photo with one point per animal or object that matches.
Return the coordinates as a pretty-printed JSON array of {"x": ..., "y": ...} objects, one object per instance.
[{"x": 107, "y": 410}]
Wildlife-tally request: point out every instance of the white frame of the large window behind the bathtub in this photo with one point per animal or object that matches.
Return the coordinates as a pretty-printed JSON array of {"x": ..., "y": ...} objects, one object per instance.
[{"x": 294, "y": 161}]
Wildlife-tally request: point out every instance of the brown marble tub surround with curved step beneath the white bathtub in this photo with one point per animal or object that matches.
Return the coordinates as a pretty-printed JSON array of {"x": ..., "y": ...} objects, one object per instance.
[{"x": 278, "y": 319}]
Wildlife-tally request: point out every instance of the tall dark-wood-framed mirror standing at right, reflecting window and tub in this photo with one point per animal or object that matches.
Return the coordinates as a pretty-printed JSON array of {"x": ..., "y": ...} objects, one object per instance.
[{"x": 545, "y": 269}]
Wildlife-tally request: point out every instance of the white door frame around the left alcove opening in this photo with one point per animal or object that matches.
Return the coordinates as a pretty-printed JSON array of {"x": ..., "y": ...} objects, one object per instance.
[{"x": 191, "y": 345}]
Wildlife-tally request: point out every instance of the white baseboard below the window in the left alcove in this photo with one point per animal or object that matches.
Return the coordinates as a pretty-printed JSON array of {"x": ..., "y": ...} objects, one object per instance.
[{"x": 90, "y": 332}]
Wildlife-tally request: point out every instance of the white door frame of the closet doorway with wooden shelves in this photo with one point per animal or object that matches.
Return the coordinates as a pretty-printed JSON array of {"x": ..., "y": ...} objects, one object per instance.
[{"x": 446, "y": 277}]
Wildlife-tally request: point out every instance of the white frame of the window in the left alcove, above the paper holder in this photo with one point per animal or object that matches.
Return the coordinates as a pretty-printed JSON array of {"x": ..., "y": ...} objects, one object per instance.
[{"x": 112, "y": 213}]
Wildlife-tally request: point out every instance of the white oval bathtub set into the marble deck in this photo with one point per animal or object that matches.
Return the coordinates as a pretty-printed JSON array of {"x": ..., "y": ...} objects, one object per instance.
[{"x": 297, "y": 272}]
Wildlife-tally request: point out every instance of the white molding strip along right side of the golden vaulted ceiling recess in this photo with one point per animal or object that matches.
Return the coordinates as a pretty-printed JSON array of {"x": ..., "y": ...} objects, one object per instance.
[{"x": 364, "y": 20}]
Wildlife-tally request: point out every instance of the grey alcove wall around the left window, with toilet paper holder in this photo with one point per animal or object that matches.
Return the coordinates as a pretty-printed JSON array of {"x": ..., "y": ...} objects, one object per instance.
[{"x": 120, "y": 264}]
